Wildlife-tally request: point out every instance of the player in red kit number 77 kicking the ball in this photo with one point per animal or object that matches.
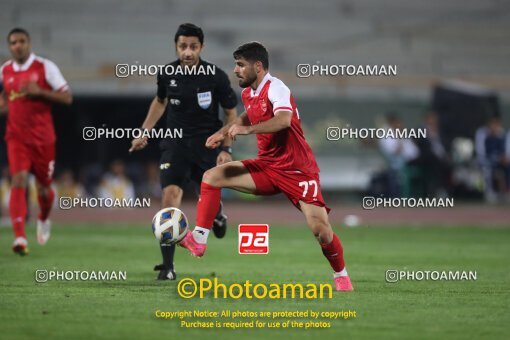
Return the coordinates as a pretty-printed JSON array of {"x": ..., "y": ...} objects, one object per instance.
[{"x": 285, "y": 161}]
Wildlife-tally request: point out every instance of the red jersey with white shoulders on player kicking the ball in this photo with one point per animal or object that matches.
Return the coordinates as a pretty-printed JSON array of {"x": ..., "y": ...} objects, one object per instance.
[{"x": 286, "y": 149}]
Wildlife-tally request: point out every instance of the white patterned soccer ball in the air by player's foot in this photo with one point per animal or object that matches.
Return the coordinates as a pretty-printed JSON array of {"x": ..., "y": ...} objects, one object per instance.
[{"x": 170, "y": 225}]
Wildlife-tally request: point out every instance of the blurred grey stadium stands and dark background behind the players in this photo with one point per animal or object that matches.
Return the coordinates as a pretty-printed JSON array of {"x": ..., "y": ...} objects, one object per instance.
[{"x": 452, "y": 58}]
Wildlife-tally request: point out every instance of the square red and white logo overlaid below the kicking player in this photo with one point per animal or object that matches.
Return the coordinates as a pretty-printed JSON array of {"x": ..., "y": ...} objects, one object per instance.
[{"x": 253, "y": 239}]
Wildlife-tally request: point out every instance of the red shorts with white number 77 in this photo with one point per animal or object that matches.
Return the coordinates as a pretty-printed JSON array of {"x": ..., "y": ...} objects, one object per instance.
[{"x": 296, "y": 185}]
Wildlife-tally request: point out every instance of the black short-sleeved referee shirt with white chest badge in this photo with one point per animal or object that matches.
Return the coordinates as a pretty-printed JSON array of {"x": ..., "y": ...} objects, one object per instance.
[{"x": 194, "y": 100}]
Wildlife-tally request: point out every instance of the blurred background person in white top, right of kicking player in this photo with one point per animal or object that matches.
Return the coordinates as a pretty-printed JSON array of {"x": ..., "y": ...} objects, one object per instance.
[{"x": 398, "y": 153}]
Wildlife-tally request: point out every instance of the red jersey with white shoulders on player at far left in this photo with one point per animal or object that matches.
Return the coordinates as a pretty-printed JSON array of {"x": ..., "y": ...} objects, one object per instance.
[{"x": 29, "y": 120}]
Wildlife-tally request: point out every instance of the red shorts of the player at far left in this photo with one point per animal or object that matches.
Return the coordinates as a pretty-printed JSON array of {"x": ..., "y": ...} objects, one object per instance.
[{"x": 37, "y": 159}]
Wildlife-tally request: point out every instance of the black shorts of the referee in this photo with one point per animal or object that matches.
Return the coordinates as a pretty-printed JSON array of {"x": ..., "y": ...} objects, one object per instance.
[{"x": 184, "y": 160}]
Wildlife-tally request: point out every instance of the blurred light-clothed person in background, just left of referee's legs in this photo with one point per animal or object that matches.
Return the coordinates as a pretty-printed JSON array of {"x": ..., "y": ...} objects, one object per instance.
[{"x": 115, "y": 184}]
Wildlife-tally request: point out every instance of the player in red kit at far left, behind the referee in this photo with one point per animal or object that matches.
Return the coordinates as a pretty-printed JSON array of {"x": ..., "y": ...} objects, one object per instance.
[{"x": 30, "y": 85}]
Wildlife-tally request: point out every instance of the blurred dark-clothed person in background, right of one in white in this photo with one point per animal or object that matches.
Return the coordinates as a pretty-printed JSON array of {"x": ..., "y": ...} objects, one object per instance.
[{"x": 434, "y": 160}]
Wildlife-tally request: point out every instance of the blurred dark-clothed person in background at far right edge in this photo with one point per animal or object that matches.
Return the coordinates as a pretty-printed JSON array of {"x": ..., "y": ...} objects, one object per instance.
[{"x": 493, "y": 157}]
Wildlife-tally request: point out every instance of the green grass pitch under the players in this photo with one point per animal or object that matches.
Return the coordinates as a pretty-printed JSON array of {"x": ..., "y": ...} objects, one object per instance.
[{"x": 125, "y": 309}]
